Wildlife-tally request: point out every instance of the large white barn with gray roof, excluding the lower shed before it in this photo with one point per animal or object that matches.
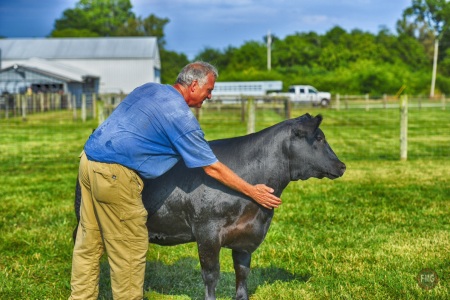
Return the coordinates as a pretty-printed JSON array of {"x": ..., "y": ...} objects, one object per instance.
[{"x": 120, "y": 63}]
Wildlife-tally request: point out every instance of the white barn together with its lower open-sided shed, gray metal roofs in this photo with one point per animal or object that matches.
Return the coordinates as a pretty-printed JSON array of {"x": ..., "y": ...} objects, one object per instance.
[{"x": 78, "y": 65}]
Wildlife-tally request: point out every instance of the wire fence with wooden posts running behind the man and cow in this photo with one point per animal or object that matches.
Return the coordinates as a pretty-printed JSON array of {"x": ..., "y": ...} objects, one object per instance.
[{"x": 386, "y": 128}]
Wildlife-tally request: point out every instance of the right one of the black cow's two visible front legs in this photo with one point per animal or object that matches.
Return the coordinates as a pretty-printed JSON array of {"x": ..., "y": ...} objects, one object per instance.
[{"x": 241, "y": 262}]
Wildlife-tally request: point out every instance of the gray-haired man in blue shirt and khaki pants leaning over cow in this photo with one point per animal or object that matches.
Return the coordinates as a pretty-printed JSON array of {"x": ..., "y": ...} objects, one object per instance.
[{"x": 151, "y": 130}]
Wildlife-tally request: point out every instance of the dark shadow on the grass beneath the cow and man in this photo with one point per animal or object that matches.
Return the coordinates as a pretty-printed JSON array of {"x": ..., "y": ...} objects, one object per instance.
[{"x": 183, "y": 279}]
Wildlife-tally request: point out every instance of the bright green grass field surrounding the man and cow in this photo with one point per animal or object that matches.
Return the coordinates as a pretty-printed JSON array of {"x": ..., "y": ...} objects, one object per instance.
[{"x": 366, "y": 235}]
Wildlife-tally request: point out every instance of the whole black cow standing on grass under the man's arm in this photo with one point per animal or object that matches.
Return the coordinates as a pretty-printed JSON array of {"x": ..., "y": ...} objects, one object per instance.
[{"x": 186, "y": 205}]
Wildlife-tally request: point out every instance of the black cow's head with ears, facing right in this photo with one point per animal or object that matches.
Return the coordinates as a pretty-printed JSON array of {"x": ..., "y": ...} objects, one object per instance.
[{"x": 309, "y": 153}]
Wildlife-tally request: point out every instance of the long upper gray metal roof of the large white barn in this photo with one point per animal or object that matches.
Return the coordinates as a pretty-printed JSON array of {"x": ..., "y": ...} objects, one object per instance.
[{"x": 89, "y": 48}]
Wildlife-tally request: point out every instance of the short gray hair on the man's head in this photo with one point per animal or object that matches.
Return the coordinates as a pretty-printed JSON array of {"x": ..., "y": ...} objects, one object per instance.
[{"x": 199, "y": 71}]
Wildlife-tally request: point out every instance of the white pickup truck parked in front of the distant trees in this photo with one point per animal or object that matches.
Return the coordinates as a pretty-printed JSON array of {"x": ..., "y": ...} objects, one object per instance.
[{"x": 307, "y": 93}]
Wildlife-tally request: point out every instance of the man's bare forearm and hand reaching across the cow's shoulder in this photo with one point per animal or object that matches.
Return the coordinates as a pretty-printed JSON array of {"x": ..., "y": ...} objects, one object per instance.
[{"x": 259, "y": 192}]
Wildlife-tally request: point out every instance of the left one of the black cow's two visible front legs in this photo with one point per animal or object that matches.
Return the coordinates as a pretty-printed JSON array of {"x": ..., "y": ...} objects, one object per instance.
[{"x": 209, "y": 261}]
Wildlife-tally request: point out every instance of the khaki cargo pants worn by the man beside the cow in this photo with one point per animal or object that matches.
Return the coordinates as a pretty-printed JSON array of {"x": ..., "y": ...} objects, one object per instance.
[{"x": 113, "y": 218}]
